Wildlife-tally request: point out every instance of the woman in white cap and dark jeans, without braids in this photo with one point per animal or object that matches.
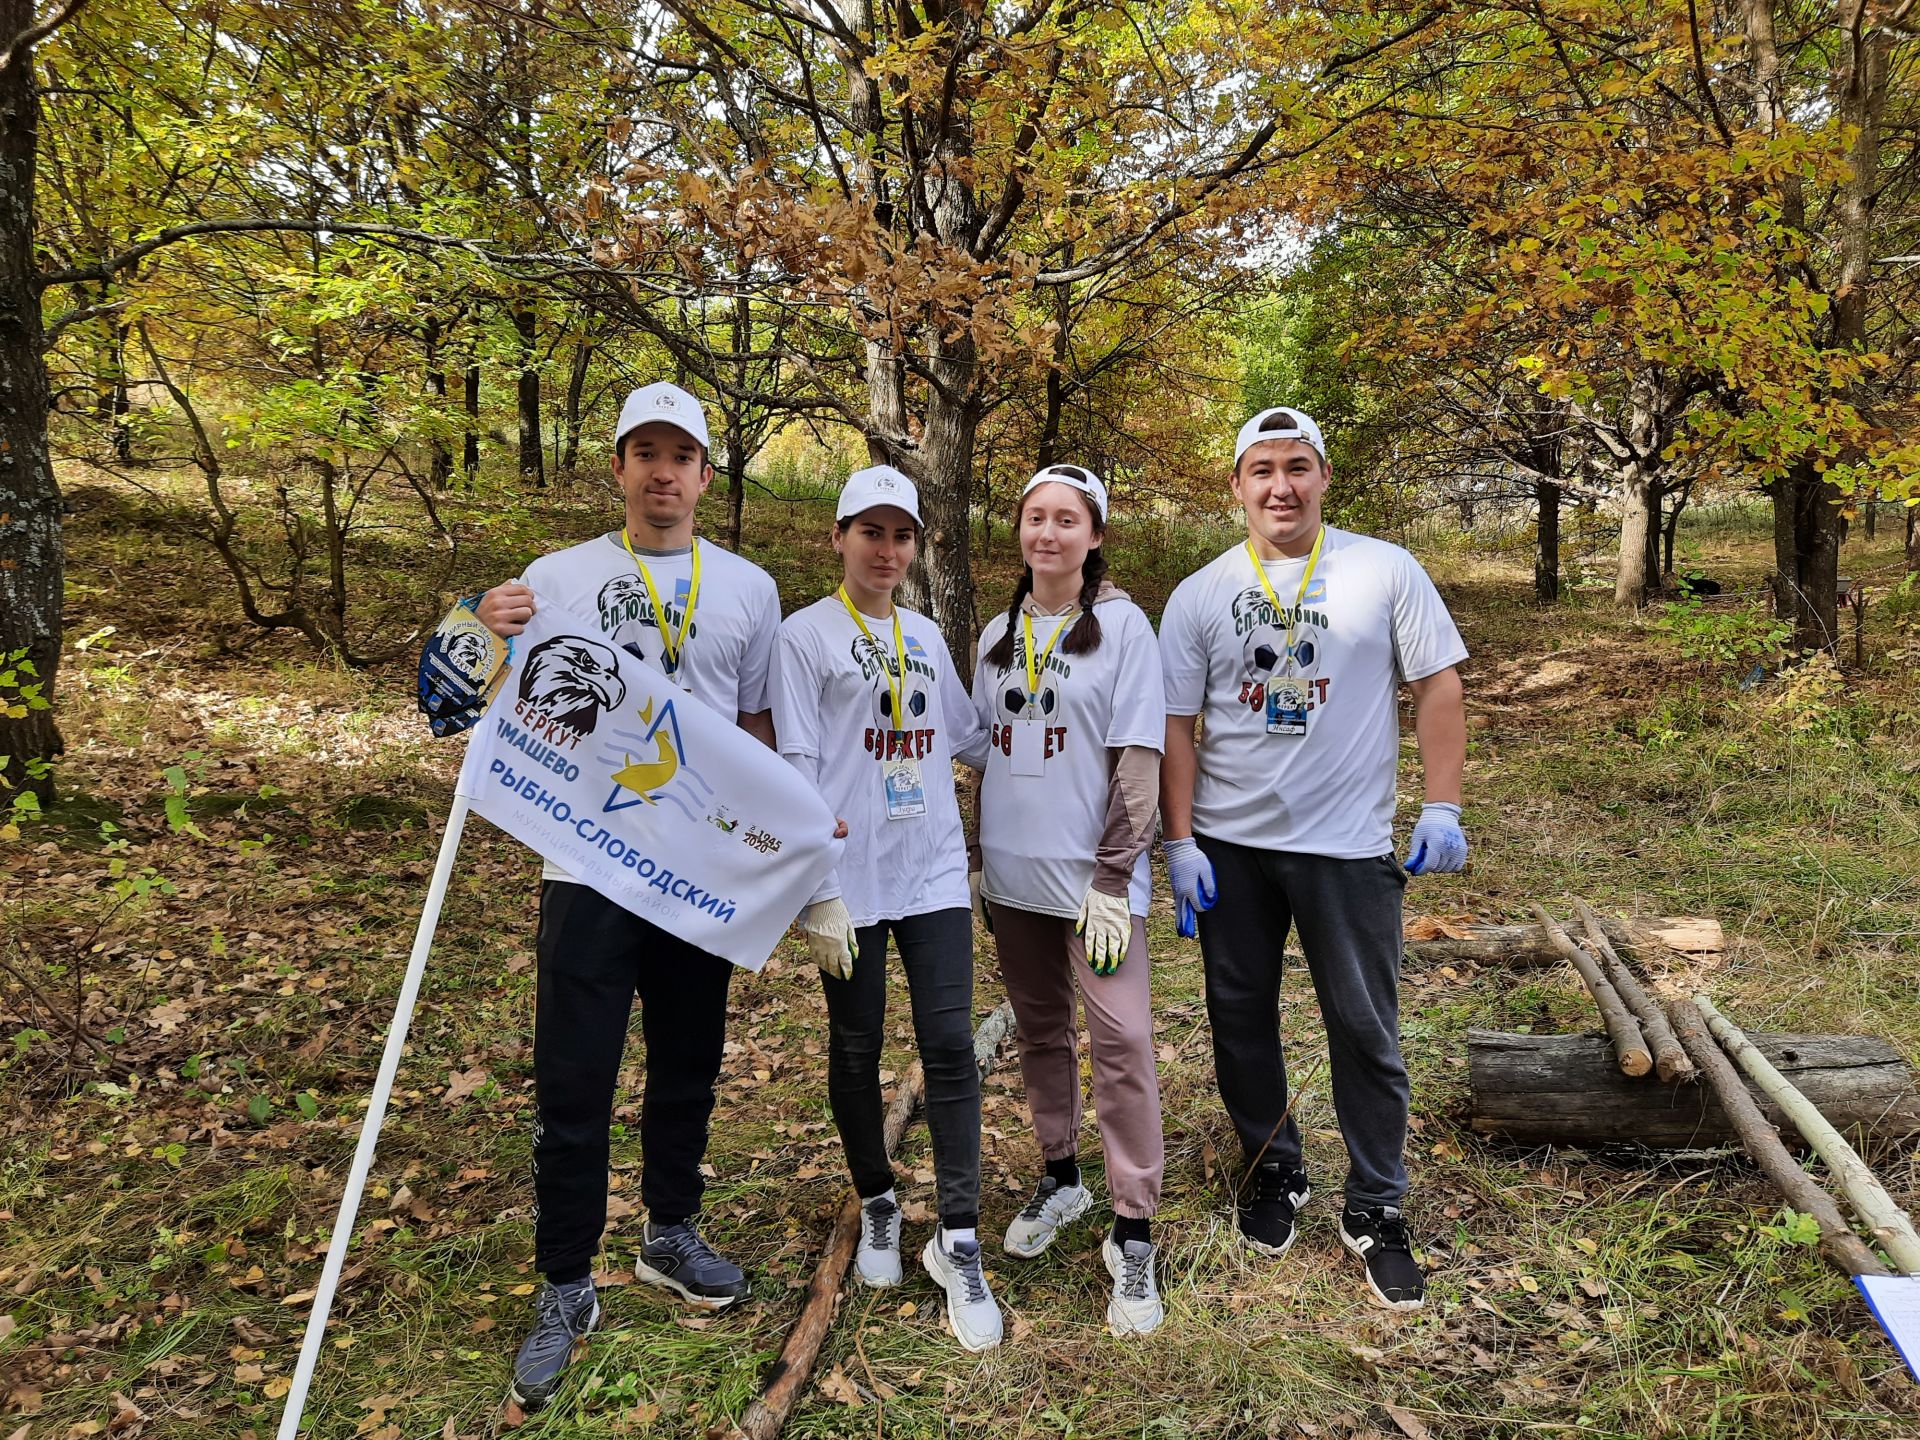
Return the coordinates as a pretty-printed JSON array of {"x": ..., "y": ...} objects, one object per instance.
[{"x": 871, "y": 711}]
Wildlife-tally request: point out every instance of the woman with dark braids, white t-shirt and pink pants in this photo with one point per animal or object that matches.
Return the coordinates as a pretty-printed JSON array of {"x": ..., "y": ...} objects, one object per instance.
[{"x": 1068, "y": 686}]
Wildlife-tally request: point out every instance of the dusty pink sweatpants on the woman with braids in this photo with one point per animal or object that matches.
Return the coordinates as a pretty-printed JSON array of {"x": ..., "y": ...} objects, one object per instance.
[{"x": 1044, "y": 963}]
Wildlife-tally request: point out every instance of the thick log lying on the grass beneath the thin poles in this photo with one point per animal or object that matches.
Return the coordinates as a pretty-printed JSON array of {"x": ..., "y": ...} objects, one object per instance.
[{"x": 1568, "y": 1090}]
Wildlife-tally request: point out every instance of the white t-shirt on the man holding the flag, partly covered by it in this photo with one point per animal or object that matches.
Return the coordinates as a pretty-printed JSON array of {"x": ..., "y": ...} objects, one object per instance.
[{"x": 731, "y": 642}]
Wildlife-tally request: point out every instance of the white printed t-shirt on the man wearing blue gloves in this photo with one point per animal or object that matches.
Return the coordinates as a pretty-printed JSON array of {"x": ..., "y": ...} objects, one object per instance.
[{"x": 1370, "y": 621}]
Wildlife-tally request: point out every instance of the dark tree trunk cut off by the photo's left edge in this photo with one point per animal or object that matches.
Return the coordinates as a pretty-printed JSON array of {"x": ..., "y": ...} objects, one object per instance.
[{"x": 32, "y": 548}]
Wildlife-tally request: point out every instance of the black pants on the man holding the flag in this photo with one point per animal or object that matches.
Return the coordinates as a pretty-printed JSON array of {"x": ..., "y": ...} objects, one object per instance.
[{"x": 594, "y": 959}]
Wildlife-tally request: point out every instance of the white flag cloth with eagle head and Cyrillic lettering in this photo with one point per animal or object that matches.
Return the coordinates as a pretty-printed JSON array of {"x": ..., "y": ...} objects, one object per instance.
[{"x": 608, "y": 769}]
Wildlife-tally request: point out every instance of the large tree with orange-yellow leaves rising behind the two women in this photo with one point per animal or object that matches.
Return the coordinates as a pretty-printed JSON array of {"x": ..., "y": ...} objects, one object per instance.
[{"x": 915, "y": 181}]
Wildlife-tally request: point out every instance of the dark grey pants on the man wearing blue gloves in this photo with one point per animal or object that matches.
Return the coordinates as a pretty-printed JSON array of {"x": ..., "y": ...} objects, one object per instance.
[{"x": 1349, "y": 917}]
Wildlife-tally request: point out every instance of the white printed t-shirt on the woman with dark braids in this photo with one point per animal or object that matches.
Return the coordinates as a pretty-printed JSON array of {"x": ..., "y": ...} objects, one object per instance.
[{"x": 1040, "y": 834}]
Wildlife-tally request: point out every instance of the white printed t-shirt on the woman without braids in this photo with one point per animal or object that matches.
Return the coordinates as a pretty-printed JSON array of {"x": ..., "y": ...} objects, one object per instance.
[{"x": 834, "y": 719}]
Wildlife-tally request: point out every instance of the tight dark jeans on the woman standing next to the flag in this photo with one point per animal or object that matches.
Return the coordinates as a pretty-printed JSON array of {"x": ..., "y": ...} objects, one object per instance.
[{"x": 938, "y": 957}]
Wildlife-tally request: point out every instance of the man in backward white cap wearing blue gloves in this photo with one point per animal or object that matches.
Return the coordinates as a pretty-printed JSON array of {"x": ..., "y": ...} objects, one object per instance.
[{"x": 1295, "y": 646}]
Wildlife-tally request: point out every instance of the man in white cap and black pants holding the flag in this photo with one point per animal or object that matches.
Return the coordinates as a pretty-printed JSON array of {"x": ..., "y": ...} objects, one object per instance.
[{"x": 708, "y": 621}]
